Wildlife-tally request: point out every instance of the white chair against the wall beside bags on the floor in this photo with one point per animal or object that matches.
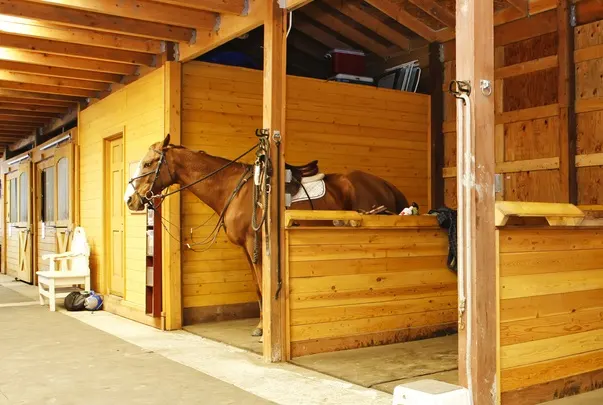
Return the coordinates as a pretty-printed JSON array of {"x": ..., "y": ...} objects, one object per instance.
[{"x": 66, "y": 276}]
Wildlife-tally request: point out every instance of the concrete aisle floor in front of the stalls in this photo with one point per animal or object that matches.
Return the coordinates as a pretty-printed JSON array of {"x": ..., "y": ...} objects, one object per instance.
[{"x": 99, "y": 358}]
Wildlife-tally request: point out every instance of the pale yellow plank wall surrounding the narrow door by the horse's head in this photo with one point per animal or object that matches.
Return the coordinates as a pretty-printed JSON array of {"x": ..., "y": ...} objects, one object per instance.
[{"x": 137, "y": 110}]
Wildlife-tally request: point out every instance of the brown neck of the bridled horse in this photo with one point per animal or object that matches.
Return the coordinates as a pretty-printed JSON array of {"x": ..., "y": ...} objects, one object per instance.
[{"x": 214, "y": 190}]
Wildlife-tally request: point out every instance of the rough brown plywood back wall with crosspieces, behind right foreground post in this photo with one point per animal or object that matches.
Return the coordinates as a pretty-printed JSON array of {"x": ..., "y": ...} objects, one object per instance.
[{"x": 528, "y": 125}]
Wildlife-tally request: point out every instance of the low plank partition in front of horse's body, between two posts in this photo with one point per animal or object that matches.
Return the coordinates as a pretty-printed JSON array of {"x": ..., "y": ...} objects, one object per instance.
[{"x": 355, "y": 287}]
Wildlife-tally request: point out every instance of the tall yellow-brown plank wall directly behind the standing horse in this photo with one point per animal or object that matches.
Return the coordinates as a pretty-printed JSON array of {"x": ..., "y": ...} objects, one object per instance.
[{"x": 345, "y": 126}]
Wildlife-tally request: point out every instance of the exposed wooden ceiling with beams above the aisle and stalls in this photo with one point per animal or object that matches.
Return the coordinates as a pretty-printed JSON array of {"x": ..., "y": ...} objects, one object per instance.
[{"x": 58, "y": 54}]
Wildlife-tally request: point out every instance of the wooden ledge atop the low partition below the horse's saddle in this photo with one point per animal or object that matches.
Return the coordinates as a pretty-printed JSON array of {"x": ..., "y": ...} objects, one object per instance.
[{"x": 357, "y": 220}]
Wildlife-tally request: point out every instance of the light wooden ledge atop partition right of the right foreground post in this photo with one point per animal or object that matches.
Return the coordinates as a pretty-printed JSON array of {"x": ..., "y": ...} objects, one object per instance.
[{"x": 556, "y": 214}]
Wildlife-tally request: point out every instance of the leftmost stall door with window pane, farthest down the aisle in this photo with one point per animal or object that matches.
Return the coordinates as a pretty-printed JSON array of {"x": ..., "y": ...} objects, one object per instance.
[{"x": 18, "y": 223}]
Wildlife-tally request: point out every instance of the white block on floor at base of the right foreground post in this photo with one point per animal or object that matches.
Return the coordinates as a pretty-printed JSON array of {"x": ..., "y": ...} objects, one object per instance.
[{"x": 430, "y": 392}]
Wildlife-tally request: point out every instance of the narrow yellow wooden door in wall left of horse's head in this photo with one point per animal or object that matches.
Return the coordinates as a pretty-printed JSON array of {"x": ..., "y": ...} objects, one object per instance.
[{"x": 115, "y": 251}]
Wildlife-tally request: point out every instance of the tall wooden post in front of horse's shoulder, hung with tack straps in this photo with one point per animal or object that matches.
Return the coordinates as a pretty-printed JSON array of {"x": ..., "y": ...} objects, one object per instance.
[{"x": 275, "y": 79}]
